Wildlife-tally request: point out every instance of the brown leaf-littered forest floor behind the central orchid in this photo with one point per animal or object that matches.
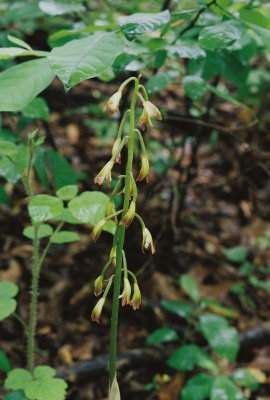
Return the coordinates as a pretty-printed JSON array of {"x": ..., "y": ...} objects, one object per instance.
[{"x": 205, "y": 195}]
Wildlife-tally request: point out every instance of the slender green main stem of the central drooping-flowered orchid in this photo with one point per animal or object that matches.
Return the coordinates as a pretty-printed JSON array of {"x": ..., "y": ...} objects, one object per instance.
[{"x": 121, "y": 238}]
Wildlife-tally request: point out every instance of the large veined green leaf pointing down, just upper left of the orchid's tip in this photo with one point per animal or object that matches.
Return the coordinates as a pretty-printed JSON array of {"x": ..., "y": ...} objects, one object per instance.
[{"x": 85, "y": 58}]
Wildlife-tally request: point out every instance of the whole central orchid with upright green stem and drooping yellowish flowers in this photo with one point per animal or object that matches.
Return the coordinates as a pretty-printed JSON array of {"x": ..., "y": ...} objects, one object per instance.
[{"x": 123, "y": 281}]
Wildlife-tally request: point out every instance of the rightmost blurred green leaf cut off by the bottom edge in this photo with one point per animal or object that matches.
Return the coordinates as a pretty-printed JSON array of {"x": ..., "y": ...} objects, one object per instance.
[{"x": 223, "y": 388}]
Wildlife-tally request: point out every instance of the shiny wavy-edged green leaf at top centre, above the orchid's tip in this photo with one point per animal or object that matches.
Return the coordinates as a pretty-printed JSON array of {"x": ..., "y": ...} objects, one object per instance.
[{"x": 137, "y": 24}]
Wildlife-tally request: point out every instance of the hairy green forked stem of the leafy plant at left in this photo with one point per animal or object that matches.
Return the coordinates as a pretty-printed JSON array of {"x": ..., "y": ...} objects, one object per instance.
[{"x": 36, "y": 267}]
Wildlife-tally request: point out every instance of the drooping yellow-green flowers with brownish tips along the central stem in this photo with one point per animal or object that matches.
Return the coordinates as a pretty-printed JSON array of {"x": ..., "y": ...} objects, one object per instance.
[{"x": 130, "y": 294}]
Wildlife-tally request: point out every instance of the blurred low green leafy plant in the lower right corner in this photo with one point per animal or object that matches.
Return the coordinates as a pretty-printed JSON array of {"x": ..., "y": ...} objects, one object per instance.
[{"x": 222, "y": 338}]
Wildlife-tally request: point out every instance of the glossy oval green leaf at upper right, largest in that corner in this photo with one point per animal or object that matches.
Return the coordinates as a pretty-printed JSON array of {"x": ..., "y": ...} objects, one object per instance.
[{"x": 218, "y": 37}]
